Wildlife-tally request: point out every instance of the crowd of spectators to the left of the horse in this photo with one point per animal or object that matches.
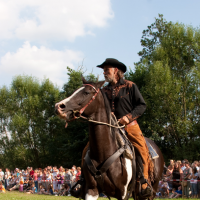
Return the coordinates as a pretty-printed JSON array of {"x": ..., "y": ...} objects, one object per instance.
[{"x": 49, "y": 181}]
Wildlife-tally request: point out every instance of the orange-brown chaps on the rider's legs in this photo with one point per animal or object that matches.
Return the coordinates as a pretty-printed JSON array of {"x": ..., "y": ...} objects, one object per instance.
[{"x": 137, "y": 139}]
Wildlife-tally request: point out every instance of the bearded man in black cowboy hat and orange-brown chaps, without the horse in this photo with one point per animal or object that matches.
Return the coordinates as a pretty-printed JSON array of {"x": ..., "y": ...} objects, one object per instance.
[{"x": 127, "y": 104}]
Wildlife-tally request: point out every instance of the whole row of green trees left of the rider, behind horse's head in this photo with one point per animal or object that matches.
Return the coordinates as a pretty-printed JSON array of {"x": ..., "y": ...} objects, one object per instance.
[{"x": 30, "y": 132}]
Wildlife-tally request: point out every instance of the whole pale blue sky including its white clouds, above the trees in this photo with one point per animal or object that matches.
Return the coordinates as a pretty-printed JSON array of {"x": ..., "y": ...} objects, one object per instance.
[{"x": 41, "y": 38}]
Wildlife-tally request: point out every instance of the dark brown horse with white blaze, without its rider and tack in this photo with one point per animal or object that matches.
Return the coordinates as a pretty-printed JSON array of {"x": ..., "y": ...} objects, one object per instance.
[{"x": 88, "y": 100}]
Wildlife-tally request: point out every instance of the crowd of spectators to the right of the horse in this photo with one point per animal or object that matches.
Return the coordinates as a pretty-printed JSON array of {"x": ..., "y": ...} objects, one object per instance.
[{"x": 180, "y": 179}]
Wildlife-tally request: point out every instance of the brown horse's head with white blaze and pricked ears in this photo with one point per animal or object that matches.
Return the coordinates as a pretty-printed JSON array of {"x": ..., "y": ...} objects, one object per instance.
[{"x": 79, "y": 102}]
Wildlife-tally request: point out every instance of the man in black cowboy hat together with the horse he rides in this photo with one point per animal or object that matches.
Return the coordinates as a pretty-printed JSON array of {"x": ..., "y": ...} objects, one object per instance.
[{"x": 106, "y": 160}]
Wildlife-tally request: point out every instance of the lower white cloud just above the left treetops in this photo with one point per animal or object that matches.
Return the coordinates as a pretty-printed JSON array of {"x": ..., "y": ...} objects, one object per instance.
[{"x": 40, "y": 62}]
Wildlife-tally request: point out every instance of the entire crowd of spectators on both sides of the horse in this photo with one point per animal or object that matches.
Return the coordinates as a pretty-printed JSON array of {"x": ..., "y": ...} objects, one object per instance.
[{"x": 180, "y": 179}]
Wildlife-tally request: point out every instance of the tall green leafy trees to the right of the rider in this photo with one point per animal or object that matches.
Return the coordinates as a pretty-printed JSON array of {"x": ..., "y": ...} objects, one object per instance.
[{"x": 168, "y": 77}]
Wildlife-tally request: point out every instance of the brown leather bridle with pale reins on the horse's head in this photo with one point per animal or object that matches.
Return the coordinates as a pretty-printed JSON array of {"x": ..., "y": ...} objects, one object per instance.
[{"x": 78, "y": 113}]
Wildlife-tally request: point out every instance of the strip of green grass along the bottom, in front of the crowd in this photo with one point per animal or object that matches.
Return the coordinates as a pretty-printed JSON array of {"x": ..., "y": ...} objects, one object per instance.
[{"x": 22, "y": 196}]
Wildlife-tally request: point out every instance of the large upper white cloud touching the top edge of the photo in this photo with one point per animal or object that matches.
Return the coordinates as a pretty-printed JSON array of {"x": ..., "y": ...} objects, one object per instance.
[{"x": 50, "y": 19}]
